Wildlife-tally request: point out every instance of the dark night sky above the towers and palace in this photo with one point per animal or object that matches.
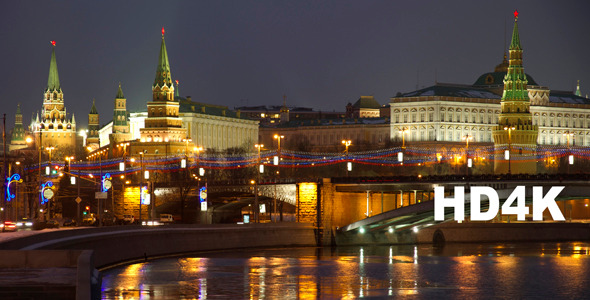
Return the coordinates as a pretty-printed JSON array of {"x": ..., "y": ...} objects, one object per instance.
[{"x": 321, "y": 54}]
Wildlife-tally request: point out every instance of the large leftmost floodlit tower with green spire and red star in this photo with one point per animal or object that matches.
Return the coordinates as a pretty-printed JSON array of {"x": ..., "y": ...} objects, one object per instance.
[{"x": 53, "y": 128}]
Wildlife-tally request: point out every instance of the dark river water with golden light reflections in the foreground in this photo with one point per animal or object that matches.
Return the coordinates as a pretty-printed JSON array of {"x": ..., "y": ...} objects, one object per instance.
[{"x": 549, "y": 270}]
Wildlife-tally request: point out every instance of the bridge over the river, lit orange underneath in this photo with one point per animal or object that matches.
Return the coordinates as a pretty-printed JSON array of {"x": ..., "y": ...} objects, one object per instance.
[{"x": 341, "y": 207}]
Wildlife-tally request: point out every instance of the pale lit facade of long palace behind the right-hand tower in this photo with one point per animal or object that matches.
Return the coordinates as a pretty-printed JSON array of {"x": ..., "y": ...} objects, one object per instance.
[{"x": 449, "y": 121}]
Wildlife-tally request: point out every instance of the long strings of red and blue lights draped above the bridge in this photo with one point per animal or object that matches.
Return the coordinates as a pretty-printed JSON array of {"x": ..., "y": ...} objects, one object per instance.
[{"x": 414, "y": 156}]
